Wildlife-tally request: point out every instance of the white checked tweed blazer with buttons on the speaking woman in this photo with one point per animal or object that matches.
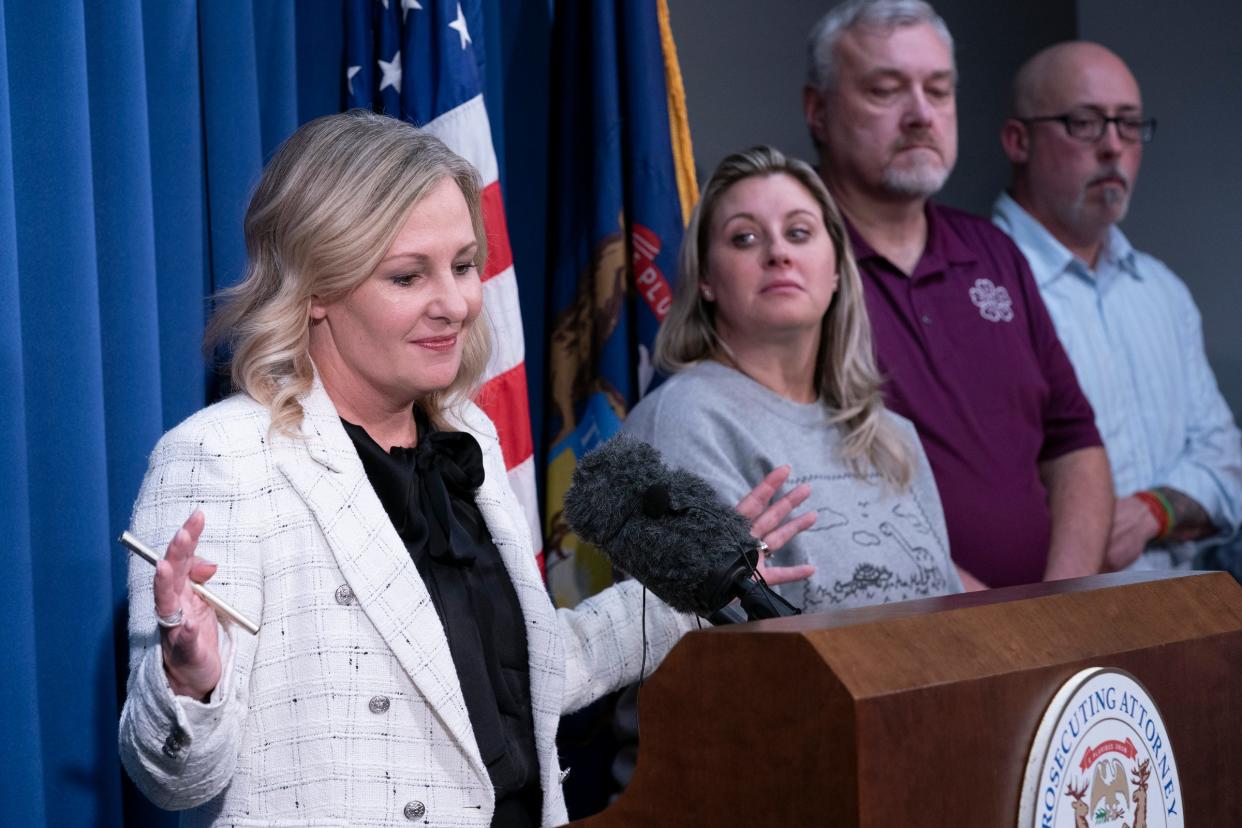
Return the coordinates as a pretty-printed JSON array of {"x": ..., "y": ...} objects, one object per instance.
[{"x": 346, "y": 709}]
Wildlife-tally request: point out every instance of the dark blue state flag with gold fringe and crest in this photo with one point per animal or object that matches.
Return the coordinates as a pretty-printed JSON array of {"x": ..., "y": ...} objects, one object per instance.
[{"x": 623, "y": 187}]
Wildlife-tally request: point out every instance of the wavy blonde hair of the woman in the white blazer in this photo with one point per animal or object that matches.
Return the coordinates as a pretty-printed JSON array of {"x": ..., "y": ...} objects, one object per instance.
[{"x": 326, "y": 212}]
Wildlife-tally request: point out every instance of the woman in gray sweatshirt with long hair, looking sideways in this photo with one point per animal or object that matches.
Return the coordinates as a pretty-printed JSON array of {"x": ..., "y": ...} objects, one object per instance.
[{"x": 771, "y": 354}]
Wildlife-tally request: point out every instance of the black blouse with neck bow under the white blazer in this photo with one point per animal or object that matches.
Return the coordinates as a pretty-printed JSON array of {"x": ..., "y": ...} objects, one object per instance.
[{"x": 428, "y": 492}]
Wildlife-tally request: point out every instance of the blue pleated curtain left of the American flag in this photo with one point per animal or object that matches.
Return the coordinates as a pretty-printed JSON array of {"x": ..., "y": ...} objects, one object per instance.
[{"x": 131, "y": 135}]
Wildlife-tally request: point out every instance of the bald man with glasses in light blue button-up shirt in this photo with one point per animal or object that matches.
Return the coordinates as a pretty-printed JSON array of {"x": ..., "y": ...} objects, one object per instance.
[{"x": 1128, "y": 323}]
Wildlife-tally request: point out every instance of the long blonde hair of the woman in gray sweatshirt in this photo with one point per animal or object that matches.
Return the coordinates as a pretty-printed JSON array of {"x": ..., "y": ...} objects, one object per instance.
[{"x": 846, "y": 378}]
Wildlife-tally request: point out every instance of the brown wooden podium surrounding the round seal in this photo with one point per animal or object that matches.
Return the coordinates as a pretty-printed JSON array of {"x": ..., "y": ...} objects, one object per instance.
[{"x": 923, "y": 713}]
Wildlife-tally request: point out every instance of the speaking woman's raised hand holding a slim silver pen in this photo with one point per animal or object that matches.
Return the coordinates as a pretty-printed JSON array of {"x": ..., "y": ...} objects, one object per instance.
[{"x": 188, "y": 624}]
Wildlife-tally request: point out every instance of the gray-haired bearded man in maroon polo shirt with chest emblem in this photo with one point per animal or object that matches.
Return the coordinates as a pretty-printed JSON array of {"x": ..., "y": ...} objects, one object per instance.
[{"x": 962, "y": 335}]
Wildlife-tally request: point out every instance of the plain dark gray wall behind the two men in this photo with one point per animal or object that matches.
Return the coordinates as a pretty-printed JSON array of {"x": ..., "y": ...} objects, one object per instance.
[{"x": 743, "y": 65}]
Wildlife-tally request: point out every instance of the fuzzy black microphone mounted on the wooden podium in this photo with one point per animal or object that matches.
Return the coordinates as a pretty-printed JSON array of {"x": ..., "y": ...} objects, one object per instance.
[{"x": 670, "y": 531}]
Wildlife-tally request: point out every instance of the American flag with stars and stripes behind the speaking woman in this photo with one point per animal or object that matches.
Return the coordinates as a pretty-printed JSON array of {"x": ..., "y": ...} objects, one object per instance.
[{"x": 422, "y": 60}]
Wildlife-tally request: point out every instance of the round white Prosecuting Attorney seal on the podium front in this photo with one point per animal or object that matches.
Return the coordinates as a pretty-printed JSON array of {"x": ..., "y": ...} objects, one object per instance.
[{"x": 1101, "y": 759}]
